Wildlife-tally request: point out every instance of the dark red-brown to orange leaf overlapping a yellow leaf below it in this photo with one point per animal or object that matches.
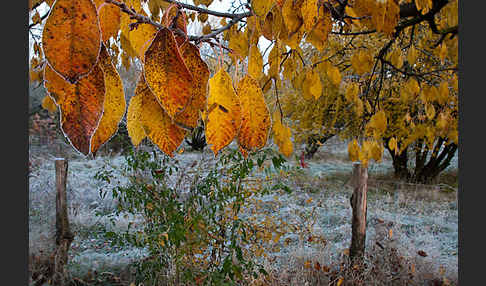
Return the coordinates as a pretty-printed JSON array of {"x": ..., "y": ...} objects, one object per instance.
[{"x": 166, "y": 73}]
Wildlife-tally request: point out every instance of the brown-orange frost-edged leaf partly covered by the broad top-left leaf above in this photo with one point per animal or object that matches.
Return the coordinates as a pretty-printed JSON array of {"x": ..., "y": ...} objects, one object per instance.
[{"x": 80, "y": 105}]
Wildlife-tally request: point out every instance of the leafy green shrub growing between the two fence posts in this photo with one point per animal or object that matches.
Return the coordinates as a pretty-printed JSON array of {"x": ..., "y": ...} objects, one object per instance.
[{"x": 193, "y": 231}]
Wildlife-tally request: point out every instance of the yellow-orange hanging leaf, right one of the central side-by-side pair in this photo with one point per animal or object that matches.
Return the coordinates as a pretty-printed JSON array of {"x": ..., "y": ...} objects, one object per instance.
[{"x": 255, "y": 117}]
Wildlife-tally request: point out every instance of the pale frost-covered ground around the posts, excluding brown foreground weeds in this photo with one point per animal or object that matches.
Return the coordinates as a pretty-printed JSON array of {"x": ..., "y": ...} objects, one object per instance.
[{"x": 420, "y": 217}]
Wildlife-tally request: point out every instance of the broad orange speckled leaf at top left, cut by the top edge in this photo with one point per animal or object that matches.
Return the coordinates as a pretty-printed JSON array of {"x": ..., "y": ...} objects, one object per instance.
[{"x": 71, "y": 38}]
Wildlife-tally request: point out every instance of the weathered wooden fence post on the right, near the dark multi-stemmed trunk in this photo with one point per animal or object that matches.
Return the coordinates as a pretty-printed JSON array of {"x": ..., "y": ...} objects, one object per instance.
[{"x": 358, "y": 204}]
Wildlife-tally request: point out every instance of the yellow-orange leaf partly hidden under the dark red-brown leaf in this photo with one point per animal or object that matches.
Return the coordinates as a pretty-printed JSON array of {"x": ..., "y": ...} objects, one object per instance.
[{"x": 156, "y": 122}]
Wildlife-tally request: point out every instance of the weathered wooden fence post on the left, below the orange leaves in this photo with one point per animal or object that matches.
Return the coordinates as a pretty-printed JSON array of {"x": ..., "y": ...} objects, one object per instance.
[{"x": 64, "y": 237}]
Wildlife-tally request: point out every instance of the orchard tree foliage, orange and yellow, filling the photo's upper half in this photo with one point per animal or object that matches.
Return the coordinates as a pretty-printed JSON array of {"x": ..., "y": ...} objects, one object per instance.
[{"x": 382, "y": 73}]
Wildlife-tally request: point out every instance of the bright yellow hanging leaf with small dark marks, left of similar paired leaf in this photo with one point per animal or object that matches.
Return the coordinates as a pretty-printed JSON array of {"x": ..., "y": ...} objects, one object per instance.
[{"x": 224, "y": 120}]
